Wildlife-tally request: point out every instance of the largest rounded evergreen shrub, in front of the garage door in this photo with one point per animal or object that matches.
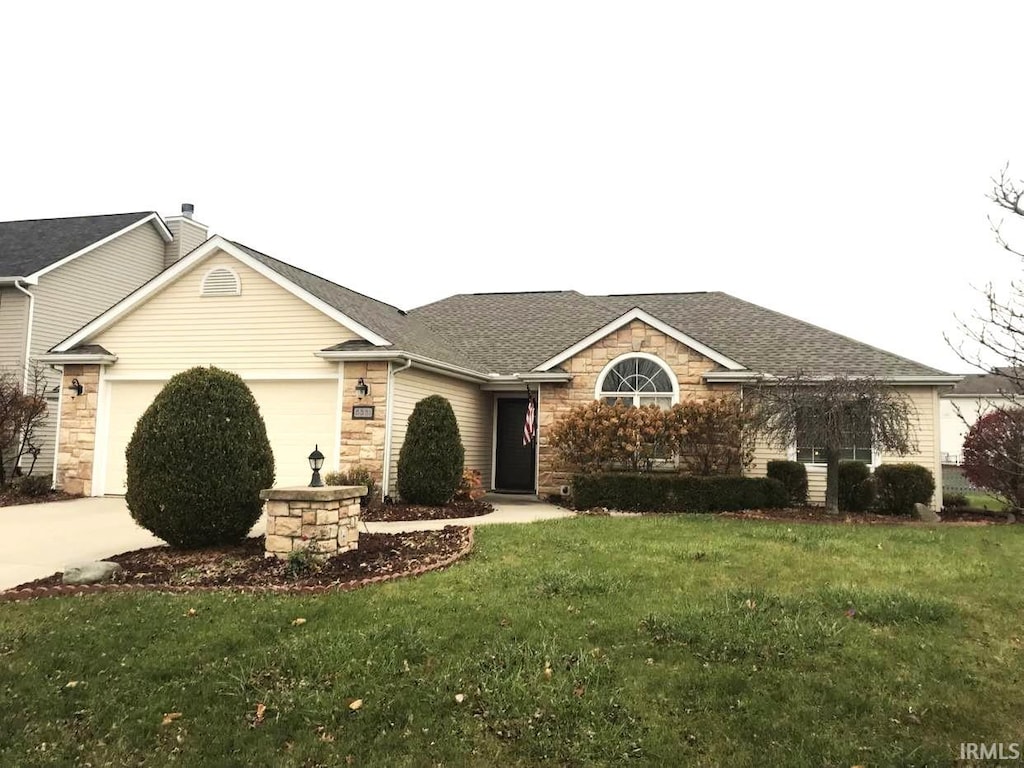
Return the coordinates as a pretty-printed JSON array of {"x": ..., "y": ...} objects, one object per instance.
[{"x": 198, "y": 459}]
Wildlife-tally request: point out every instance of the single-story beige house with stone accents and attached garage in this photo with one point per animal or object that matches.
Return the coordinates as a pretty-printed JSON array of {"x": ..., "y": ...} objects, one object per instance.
[{"x": 334, "y": 368}]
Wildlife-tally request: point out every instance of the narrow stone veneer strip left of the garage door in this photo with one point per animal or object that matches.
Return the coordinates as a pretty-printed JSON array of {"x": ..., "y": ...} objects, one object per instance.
[{"x": 78, "y": 431}]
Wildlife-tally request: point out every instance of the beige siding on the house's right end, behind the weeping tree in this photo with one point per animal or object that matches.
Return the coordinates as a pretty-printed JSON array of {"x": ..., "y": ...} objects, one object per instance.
[{"x": 924, "y": 429}]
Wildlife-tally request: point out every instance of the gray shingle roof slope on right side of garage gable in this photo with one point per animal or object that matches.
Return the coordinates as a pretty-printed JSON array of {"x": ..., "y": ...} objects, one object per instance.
[{"x": 394, "y": 324}]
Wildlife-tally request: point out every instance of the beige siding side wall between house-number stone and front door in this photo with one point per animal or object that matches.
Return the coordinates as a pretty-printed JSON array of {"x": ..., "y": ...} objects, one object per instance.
[{"x": 473, "y": 411}]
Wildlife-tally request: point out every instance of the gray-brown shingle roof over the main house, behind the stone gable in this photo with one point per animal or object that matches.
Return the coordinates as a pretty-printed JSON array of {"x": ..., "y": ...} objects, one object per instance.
[{"x": 509, "y": 333}]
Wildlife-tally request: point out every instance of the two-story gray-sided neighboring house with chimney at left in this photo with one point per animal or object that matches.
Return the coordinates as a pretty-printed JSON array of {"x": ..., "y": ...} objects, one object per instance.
[{"x": 58, "y": 274}]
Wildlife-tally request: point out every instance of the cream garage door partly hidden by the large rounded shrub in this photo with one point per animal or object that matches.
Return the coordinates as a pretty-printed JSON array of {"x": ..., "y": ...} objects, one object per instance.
[{"x": 300, "y": 415}]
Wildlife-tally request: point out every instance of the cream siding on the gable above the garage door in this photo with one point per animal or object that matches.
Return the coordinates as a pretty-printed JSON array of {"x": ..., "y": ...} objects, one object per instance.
[{"x": 266, "y": 328}]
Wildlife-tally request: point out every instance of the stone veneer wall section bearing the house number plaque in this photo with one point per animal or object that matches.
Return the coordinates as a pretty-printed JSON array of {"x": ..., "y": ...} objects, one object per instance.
[{"x": 363, "y": 441}]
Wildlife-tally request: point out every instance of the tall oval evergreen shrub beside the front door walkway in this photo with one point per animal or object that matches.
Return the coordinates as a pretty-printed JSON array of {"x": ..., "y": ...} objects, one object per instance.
[{"x": 432, "y": 459}]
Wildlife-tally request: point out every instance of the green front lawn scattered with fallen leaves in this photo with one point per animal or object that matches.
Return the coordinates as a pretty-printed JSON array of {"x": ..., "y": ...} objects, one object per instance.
[{"x": 670, "y": 642}]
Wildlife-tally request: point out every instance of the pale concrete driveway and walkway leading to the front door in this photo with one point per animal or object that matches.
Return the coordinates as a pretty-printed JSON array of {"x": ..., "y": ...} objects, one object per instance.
[{"x": 37, "y": 540}]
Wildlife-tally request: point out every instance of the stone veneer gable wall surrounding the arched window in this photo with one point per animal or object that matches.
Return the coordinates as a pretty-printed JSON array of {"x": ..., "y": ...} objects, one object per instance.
[{"x": 558, "y": 400}]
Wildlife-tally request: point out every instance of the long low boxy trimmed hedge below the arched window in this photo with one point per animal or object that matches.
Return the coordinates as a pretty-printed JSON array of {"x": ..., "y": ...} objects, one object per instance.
[{"x": 654, "y": 493}]
